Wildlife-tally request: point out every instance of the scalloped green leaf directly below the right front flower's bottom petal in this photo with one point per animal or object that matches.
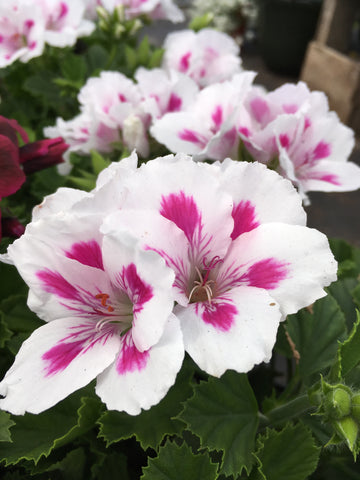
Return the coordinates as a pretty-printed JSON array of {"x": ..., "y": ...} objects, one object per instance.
[{"x": 224, "y": 414}]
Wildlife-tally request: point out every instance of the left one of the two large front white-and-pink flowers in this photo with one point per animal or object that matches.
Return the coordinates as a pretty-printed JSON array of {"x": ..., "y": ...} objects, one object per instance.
[{"x": 108, "y": 305}]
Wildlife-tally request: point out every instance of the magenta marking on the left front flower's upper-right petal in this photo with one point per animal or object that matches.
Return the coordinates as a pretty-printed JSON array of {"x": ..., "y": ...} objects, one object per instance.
[{"x": 137, "y": 290}]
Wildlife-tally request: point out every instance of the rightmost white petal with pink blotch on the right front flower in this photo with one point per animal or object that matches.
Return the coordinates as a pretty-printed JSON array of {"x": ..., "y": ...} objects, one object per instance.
[{"x": 293, "y": 262}]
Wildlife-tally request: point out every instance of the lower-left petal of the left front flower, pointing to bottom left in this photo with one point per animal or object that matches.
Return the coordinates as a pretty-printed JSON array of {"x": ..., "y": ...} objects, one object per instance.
[{"x": 57, "y": 359}]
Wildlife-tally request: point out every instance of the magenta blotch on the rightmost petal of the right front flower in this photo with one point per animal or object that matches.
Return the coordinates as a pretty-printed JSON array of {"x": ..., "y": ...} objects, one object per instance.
[{"x": 267, "y": 274}]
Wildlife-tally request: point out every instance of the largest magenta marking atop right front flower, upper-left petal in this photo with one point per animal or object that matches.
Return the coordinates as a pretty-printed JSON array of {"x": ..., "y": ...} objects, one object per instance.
[{"x": 183, "y": 211}]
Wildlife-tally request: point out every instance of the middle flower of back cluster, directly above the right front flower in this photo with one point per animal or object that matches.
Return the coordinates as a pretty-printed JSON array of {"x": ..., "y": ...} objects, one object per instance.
[{"x": 208, "y": 128}]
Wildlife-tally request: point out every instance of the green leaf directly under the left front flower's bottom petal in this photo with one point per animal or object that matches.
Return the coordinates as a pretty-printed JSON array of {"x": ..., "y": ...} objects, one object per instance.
[{"x": 152, "y": 425}]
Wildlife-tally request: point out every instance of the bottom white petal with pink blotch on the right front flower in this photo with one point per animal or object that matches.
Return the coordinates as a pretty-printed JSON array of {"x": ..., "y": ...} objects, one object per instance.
[{"x": 237, "y": 331}]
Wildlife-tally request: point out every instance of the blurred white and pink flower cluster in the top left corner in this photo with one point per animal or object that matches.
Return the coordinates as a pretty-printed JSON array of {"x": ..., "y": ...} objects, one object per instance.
[{"x": 26, "y": 26}]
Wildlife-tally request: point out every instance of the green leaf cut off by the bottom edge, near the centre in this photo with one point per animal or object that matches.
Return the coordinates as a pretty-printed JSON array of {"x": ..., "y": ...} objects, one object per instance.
[{"x": 179, "y": 463}]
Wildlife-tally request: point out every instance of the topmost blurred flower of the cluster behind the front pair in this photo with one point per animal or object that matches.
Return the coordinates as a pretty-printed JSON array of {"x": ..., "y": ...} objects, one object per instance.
[{"x": 207, "y": 57}]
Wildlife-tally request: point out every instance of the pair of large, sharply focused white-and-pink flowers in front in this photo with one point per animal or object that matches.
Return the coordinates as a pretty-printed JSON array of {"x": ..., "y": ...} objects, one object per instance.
[{"x": 172, "y": 256}]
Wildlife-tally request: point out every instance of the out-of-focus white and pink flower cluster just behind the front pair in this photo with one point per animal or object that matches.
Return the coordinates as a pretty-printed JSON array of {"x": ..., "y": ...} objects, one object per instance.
[{"x": 200, "y": 102}]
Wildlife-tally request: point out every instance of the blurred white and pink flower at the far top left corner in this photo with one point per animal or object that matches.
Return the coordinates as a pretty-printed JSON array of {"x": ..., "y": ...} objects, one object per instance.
[{"x": 22, "y": 30}]
